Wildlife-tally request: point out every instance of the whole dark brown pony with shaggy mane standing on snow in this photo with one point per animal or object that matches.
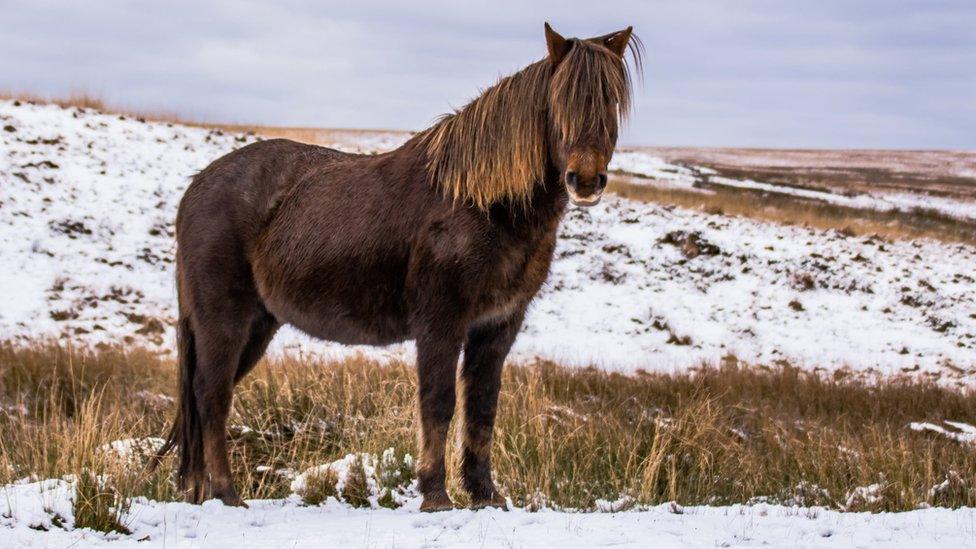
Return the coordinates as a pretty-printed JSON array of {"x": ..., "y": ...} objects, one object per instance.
[{"x": 445, "y": 241}]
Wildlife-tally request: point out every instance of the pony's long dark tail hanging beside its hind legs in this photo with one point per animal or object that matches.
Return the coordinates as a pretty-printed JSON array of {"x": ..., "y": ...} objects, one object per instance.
[{"x": 185, "y": 434}]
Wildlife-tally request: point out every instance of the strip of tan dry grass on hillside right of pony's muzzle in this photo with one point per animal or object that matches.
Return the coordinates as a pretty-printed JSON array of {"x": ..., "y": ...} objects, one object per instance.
[{"x": 792, "y": 210}]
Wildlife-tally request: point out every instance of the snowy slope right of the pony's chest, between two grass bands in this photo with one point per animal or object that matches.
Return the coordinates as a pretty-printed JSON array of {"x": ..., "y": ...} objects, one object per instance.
[{"x": 865, "y": 303}]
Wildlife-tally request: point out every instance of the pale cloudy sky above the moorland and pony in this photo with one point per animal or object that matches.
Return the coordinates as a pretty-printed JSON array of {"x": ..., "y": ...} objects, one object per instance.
[{"x": 827, "y": 73}]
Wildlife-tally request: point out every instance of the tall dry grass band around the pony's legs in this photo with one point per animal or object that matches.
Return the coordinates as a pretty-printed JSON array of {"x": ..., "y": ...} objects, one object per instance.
[{"x": 565, "y": 438}]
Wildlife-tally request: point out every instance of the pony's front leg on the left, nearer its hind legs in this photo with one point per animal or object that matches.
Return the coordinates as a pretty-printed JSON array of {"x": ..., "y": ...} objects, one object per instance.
[{"x": 437, "y": 357}]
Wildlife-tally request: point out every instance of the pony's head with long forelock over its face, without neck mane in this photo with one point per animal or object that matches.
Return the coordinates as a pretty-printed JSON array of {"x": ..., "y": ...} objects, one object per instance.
[{"x": 589, "y": 94}]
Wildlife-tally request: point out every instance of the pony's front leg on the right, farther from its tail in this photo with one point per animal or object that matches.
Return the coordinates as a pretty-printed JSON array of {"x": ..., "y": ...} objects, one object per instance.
[{"x": 481, "y": 378}]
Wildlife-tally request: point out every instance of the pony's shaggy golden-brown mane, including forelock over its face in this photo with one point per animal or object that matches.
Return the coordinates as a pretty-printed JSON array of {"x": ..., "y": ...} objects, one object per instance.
[{"x": 494, "y": 148}]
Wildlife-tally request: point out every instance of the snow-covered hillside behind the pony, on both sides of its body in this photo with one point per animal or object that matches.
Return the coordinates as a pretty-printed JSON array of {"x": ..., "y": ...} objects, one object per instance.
[{"x": 87, "y": 203}]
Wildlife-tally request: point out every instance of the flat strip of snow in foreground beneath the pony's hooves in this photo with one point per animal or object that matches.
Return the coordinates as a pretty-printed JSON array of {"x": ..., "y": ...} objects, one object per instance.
[{"x": 28, "y": 509}]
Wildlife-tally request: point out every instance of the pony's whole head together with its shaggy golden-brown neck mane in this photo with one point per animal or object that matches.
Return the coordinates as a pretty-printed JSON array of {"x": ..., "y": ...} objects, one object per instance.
[{"x": 563, "y": 110}]
